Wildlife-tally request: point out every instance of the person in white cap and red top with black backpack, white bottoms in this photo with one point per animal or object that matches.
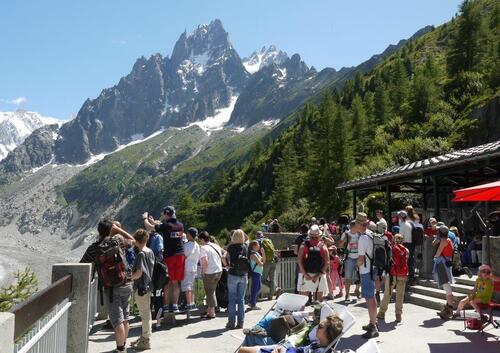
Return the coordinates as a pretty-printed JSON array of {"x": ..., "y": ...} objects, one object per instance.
[{"x": 313, "y": 261}]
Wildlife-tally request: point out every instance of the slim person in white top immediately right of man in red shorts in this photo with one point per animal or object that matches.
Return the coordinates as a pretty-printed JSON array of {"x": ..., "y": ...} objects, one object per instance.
[{"x": 192, "y": 253}]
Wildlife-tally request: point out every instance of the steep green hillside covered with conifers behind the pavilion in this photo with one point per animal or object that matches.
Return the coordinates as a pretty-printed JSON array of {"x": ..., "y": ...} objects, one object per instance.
[{"x": 413, "y": 105}]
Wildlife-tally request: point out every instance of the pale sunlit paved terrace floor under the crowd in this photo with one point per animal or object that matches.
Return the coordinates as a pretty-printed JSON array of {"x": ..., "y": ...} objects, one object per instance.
[{"x": 421, "y": 331}]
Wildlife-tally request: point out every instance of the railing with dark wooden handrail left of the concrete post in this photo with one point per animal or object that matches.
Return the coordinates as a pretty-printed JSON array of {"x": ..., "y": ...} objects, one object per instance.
[{"x": 41, "y": 322}]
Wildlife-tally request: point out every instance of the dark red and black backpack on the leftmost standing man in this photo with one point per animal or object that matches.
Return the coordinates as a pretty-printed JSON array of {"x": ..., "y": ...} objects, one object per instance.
[{"x": 111, "y": 264}]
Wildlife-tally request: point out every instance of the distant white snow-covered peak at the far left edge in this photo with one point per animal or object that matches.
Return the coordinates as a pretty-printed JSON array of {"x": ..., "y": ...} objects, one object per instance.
[{"x": 16, "y": 126}]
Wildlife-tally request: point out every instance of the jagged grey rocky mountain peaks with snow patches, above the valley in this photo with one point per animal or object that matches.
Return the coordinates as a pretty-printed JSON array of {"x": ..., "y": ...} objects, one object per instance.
[{"x": 202, "y": 75}]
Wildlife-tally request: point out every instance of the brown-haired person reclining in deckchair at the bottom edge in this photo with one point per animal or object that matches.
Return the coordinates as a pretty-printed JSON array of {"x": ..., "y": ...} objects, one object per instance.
[{"x": 328, "y": 330}]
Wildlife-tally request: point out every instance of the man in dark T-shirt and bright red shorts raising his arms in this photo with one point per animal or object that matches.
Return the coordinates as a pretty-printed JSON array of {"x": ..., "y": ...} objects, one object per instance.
[{"x": 173, "y": 253}]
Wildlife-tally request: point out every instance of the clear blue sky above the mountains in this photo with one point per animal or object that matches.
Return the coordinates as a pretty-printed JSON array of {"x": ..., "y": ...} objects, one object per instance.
[{"x": 55, "y": 54}]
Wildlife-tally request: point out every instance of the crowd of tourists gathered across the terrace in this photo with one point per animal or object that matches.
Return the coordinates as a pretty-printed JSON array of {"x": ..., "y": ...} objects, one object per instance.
[{"x": 164, "y": 257}]
